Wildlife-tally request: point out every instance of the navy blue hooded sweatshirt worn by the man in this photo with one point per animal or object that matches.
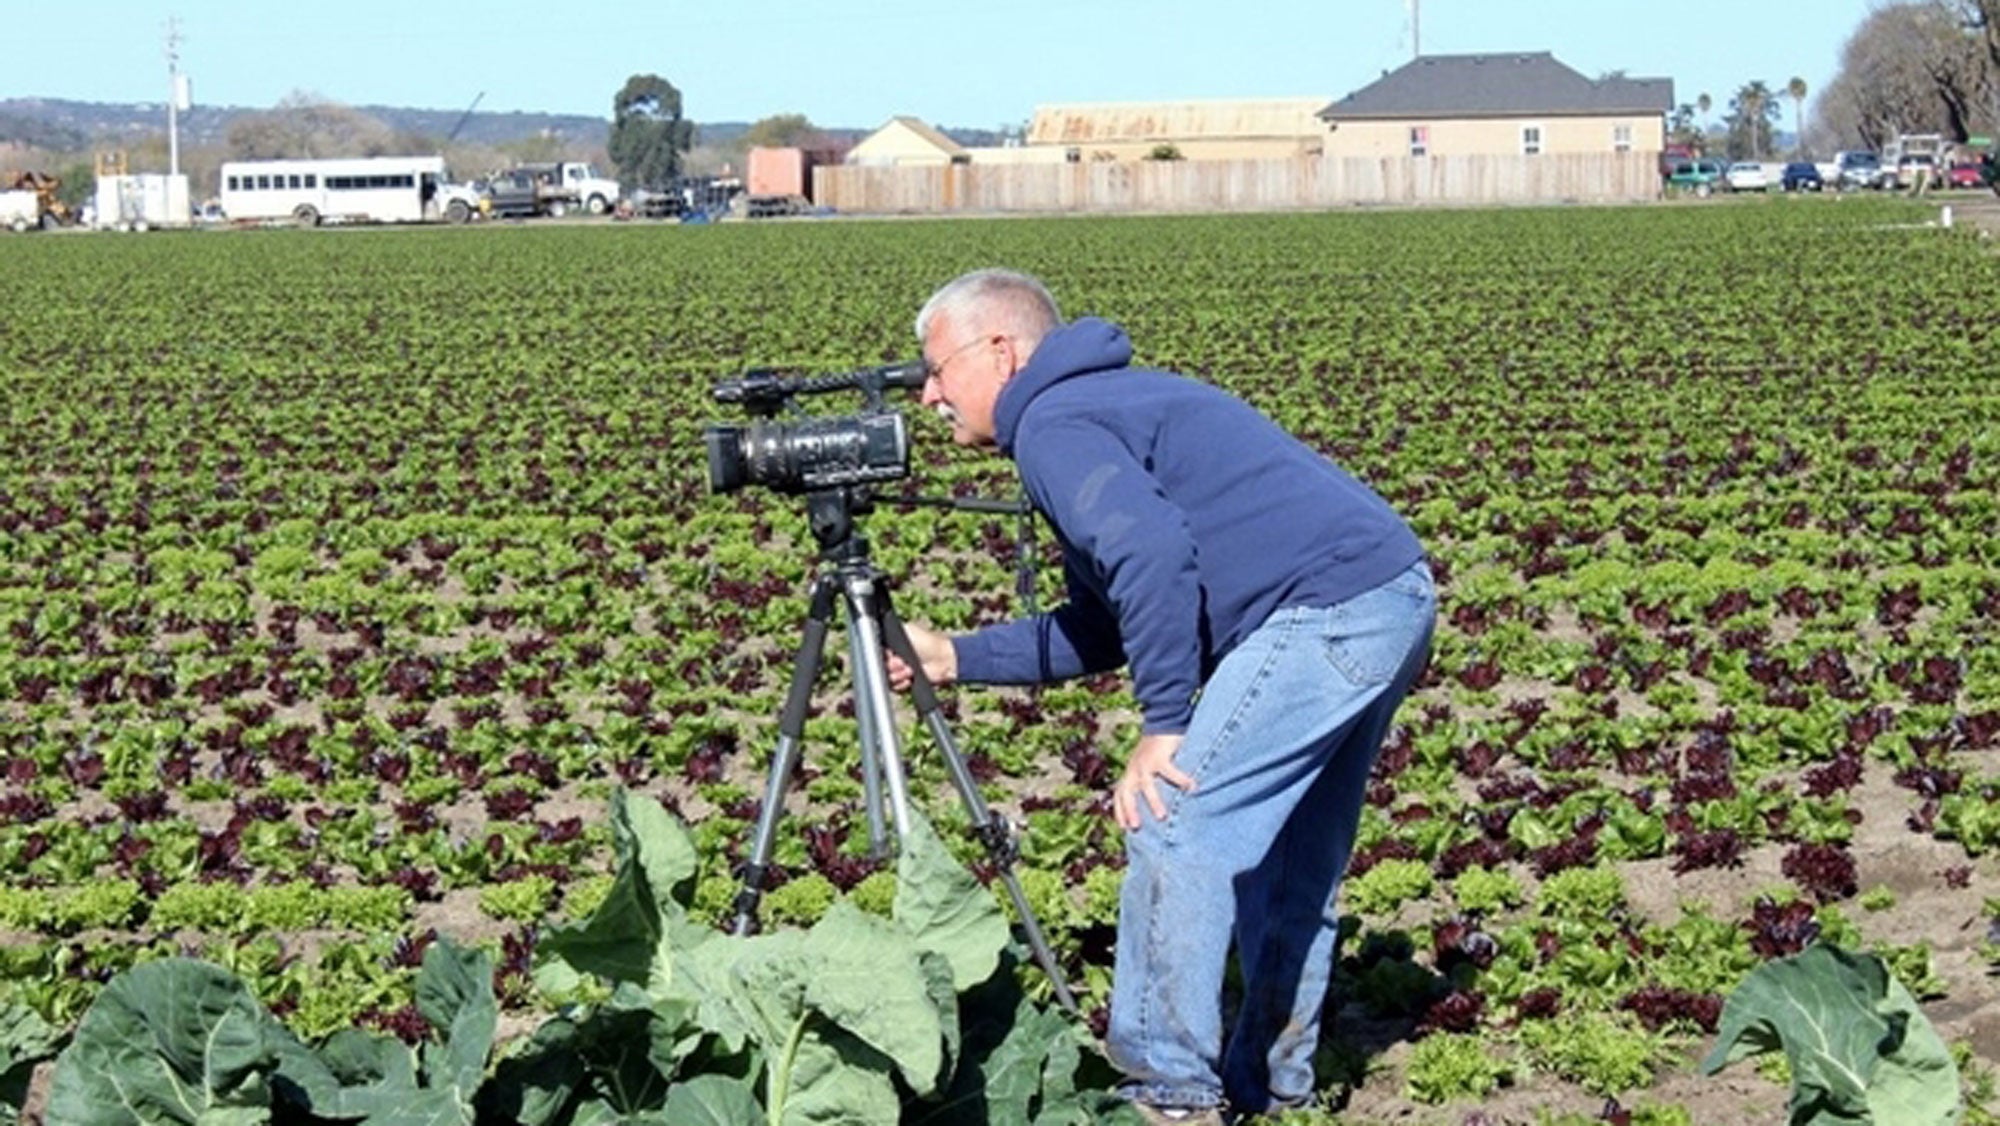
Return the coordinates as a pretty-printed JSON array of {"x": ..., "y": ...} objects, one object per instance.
[{"x": 1185, "y": 519}]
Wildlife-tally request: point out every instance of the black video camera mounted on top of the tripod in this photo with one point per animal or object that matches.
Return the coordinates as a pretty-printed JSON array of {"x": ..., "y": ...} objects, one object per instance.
[{"x": 817, "y": 453}]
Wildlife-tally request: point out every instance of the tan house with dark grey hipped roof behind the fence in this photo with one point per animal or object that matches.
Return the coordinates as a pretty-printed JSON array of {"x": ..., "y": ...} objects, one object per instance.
[{"x": 1499, "y": 105}]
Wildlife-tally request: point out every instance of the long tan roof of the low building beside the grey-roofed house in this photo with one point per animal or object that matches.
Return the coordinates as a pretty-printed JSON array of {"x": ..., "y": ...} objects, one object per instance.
[{"x": 1223, "y": 119}]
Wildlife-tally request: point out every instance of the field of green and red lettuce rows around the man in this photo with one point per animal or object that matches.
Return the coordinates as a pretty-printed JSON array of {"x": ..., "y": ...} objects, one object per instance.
[{"x": 385, "y": 701}]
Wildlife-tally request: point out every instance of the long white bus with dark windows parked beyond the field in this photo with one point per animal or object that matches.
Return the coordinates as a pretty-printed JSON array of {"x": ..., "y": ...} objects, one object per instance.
[{"x": 309, "y": 193}]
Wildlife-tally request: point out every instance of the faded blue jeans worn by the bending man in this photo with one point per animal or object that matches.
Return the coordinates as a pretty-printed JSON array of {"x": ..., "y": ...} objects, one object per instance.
[{"x": 1281, "y": 749}]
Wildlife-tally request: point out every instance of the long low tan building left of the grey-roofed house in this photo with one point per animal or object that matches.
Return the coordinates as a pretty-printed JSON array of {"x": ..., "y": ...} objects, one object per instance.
[{"x": 1233, "y": 129}]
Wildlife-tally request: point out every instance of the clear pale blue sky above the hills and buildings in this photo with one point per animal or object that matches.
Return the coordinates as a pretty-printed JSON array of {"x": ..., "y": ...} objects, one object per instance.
[{"x": 857, "y": 65}]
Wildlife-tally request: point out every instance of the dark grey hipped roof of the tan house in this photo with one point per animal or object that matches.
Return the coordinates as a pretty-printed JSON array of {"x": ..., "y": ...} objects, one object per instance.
[{"x": 1499, "y": 85}]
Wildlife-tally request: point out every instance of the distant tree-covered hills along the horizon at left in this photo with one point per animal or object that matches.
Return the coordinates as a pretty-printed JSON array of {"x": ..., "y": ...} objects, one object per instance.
[{"x": 63, "y": 125}]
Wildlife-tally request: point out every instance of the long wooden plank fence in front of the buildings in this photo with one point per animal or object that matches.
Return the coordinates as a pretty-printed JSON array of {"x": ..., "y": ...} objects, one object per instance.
[{"x": 1235, "y": 185}]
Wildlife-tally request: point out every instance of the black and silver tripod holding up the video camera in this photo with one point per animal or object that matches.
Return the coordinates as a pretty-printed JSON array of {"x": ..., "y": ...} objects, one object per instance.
[{"x": 863, "y": 591}]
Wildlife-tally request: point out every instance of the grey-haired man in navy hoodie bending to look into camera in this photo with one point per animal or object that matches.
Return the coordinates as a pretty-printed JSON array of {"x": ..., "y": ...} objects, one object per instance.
[{"x": 1273, "y": 613}]
